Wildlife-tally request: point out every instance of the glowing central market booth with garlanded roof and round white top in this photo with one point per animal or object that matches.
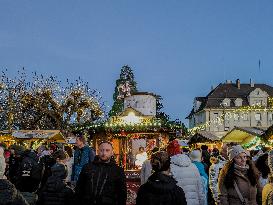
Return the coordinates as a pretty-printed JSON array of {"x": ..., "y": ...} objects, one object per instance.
[{"x": 134, "y": 128}]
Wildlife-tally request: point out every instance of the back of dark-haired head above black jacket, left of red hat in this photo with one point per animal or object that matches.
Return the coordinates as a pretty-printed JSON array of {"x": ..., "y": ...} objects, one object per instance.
[{"x": 160, "y": 161}]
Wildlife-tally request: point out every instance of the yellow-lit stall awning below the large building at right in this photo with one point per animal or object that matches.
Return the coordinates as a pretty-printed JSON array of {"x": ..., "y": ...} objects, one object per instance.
[{"x": 242, "y": 135}]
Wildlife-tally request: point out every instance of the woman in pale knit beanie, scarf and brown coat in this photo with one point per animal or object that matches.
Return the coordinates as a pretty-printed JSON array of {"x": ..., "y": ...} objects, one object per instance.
[{"x": 239, "y": 180}]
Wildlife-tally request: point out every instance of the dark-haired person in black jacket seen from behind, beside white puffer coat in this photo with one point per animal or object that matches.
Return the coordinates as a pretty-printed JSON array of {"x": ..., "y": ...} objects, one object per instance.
[{"x": 161, "y": 187}]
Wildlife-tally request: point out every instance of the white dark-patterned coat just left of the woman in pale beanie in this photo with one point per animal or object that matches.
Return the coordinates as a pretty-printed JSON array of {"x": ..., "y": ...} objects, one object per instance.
[{"x": 214, "y": 172}]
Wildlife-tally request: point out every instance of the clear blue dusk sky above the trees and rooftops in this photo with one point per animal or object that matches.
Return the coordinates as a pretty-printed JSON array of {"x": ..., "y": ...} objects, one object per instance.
[{"x": 177, "y": 49}]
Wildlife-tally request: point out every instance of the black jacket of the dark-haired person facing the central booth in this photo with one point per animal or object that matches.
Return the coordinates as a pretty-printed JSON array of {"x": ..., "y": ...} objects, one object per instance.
[{"x": 160, "y": 189}]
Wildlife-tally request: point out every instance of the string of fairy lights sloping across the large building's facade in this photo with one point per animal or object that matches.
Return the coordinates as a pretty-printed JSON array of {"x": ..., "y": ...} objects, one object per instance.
[{"x": 228, "y": 114}]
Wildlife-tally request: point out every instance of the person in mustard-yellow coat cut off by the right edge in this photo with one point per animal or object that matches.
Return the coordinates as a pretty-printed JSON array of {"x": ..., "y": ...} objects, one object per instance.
[{"x": 267, "y": 194}]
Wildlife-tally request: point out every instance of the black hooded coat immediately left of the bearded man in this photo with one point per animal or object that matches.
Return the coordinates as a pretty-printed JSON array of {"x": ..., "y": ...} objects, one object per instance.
[{"x": 56, "y": 191}]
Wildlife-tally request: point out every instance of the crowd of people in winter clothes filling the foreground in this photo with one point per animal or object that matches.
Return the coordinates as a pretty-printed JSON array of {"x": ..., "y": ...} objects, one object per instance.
[{"x": 60, "y": 176}]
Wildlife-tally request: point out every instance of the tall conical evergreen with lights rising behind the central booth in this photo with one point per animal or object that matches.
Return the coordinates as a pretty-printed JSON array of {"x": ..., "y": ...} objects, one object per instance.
[{"x": 125, "y": 86}]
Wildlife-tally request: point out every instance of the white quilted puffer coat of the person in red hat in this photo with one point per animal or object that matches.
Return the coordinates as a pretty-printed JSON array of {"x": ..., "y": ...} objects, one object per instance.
[{"x": 188, "y": 178}]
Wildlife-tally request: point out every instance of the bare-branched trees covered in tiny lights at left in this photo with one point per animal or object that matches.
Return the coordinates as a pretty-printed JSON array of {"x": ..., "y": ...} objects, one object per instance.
[{"x": 43, "y": 103}]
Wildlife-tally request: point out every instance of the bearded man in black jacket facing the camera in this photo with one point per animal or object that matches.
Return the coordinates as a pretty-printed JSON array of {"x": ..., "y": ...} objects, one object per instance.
[{"x": 102, "y": 182}]
